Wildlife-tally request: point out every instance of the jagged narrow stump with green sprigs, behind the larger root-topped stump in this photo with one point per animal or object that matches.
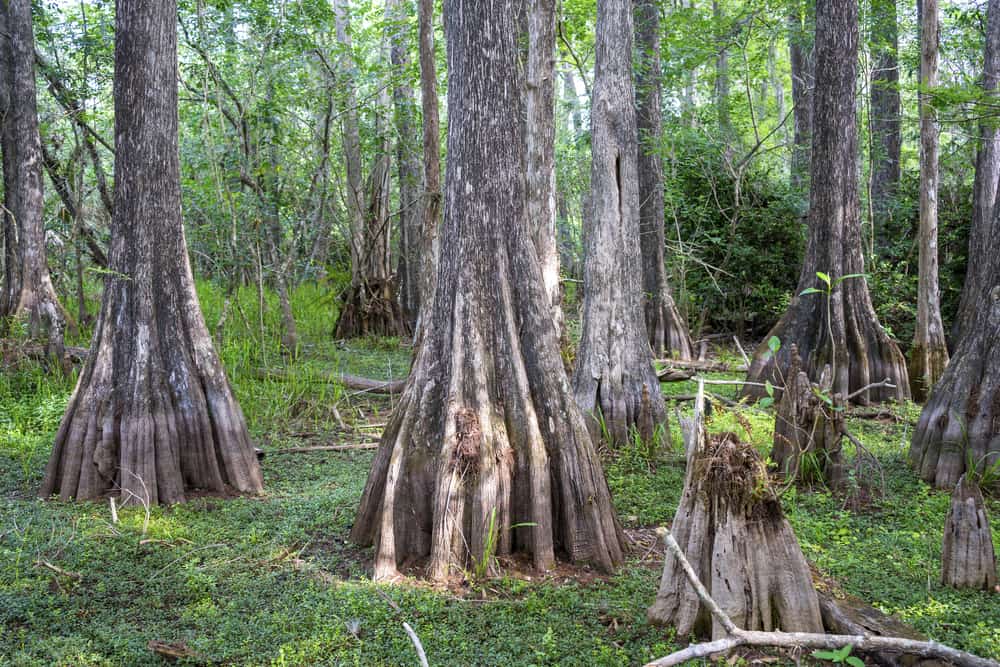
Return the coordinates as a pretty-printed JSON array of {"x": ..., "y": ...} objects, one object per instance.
[{"x": 808, "y": 429}]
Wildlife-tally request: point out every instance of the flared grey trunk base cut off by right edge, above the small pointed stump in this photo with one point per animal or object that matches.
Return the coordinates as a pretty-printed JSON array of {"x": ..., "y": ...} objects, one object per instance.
[{"x": 961, "y": 419}]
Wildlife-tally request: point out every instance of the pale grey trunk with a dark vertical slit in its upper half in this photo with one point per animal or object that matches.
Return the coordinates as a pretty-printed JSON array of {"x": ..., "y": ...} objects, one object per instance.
[{"x": 614, "y": 377}]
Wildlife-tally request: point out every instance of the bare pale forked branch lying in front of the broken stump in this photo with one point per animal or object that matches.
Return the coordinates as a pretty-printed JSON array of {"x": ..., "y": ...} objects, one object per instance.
[{"x": 808, "y": 640}]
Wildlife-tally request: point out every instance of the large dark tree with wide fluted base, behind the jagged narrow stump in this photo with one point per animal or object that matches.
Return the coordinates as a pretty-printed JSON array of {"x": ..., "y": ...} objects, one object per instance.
[{"x": 850, "y": 340}]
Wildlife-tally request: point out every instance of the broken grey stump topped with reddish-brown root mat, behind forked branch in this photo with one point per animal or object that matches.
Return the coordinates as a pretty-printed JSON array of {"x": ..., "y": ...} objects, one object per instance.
[{"x": 732, "y": 530}]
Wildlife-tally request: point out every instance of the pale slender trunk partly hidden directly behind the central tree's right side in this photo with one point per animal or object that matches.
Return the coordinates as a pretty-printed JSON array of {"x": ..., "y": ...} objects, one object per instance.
[{"x": 541, "y": 142}]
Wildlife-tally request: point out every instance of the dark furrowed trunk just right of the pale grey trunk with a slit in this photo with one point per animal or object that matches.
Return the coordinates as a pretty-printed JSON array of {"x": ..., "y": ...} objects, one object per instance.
[{"x": 667, "y": 331}]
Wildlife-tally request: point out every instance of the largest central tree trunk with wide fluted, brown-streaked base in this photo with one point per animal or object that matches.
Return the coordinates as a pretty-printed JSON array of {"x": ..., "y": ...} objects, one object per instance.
[{"x": 486, "y": 432}]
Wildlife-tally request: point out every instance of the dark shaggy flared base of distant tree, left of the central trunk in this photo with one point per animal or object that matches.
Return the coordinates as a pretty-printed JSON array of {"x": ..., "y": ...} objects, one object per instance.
[{"x": 371, "y": 309}]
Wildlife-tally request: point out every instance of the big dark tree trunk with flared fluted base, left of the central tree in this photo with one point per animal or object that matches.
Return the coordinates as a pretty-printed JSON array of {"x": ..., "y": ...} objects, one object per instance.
[{"x": 152, "y": 414}]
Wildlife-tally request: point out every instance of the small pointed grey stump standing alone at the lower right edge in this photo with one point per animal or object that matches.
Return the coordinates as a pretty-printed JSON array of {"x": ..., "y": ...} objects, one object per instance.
[{"x": 967, "y": 558}]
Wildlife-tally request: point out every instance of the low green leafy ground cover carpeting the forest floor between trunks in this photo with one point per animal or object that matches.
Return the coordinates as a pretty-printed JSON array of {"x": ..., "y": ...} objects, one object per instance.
[{"x": 274, "y": 581}]
